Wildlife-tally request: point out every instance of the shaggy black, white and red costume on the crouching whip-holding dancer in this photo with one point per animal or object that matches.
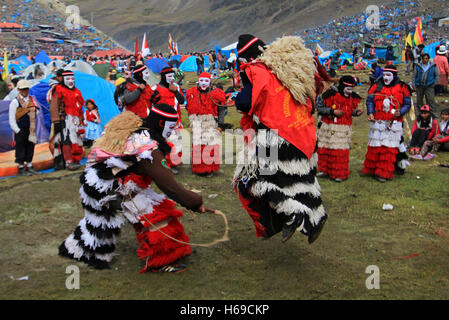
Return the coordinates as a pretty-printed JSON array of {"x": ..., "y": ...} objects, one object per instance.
[{"x": 109, "y": 188}]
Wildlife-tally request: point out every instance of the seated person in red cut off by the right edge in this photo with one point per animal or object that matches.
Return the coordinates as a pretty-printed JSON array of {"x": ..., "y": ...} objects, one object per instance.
[{"x": 440, "y": 141}]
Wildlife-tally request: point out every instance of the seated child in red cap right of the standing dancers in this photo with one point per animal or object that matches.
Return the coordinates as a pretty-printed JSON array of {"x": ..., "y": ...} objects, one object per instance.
[{"x": 424, "y": 128}]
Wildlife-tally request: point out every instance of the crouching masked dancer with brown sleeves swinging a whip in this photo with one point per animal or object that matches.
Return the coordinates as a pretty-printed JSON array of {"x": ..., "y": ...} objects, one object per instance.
[{"x": 123, "y": 163}]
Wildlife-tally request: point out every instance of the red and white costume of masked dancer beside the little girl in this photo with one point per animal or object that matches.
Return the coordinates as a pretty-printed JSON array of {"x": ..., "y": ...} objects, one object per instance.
[{"x": 73, "y": 134}]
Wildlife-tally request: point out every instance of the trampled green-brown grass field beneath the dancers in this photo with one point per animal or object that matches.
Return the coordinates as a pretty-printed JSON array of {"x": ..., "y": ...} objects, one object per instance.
[{"x": 409, "y": 244}]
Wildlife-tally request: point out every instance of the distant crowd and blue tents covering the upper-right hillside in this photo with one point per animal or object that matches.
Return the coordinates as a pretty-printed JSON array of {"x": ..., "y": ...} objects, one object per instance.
[{"x": 396, "y": 20}]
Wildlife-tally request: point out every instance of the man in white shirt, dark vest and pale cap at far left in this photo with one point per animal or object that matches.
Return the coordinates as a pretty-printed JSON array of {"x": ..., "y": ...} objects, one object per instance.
[{"x": 22, "y": 120}]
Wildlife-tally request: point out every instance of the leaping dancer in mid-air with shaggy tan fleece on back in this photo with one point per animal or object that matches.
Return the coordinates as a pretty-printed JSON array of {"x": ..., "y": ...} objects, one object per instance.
[{"x": 275, "y": 176}]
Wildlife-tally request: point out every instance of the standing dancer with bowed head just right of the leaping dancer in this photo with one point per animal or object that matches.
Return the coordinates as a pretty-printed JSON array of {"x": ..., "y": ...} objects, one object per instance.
[{"x": 337, "y": 106}]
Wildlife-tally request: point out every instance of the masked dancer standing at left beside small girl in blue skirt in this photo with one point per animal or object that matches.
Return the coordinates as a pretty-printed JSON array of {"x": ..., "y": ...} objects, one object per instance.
[{"x": 66, "y": 112}]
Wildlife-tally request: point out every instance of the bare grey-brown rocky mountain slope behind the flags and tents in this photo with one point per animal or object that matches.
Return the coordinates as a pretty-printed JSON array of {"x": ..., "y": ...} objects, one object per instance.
[{"x": 202, "y": 24}]
